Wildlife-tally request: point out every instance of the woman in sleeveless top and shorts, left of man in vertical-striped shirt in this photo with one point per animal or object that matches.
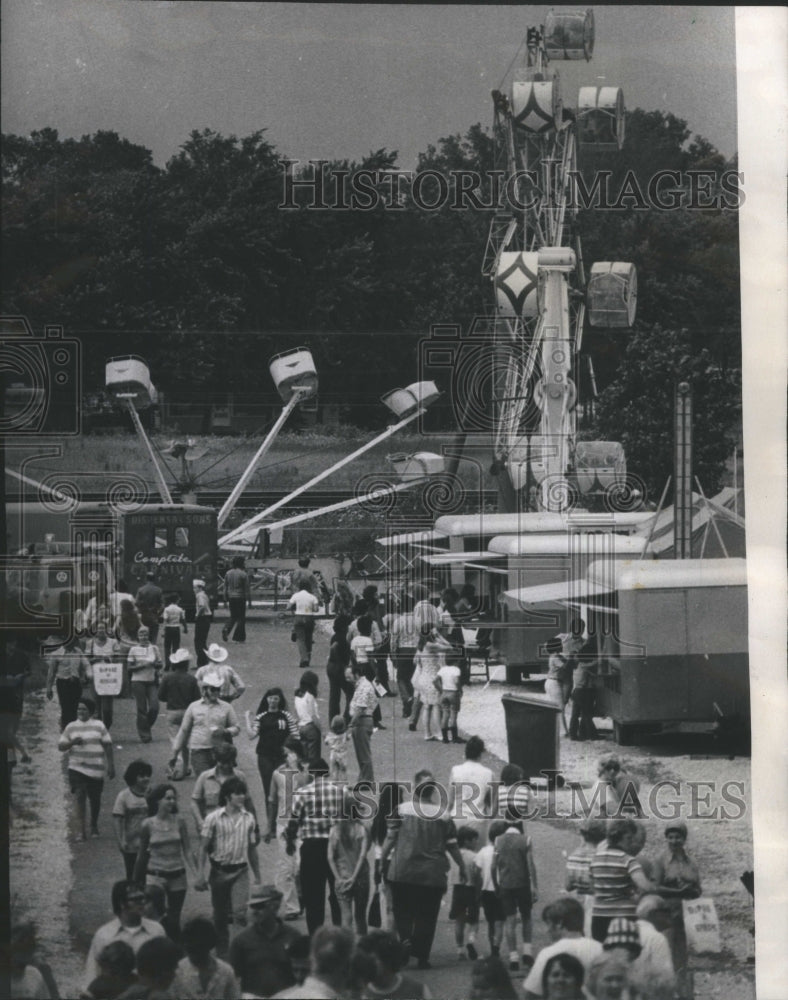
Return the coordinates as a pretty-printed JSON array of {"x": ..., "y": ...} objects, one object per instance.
[{"x": 165, "y": 853}]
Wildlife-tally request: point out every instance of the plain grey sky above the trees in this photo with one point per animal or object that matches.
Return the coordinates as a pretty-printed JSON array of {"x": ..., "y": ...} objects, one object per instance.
[{"x": 335, "y": 80}]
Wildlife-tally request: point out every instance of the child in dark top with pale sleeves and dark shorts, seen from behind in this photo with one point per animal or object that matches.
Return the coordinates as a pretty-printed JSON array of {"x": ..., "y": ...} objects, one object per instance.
[{"x": 514, "y": 874}]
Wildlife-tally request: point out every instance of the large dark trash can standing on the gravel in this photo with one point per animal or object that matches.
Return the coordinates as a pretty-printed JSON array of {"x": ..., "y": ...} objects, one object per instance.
[{"x": 532, "y": 735}]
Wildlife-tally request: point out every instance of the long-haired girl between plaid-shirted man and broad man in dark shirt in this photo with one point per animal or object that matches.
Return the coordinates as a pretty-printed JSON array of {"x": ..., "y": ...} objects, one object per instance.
[{"x": 348, "y": 846}]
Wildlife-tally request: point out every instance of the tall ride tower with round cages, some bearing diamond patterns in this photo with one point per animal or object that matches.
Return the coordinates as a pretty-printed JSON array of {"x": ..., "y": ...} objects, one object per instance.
[{"x": 535, "y": 262}]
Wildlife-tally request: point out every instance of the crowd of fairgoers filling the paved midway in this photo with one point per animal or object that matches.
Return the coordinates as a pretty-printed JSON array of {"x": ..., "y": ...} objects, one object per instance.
[{"x": 381, "y": 852}]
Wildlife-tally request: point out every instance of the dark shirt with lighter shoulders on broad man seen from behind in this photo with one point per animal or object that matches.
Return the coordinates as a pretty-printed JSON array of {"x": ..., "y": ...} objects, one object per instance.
[{"x": 419, "y": 856}]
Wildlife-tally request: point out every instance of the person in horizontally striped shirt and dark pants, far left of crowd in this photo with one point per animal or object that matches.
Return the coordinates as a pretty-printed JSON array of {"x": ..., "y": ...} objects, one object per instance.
[{"x": 90, "y": 759}]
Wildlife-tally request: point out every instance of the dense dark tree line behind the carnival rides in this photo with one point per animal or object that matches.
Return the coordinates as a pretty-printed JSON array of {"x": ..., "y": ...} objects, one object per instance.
[{"x": 198, "y": 267}]
